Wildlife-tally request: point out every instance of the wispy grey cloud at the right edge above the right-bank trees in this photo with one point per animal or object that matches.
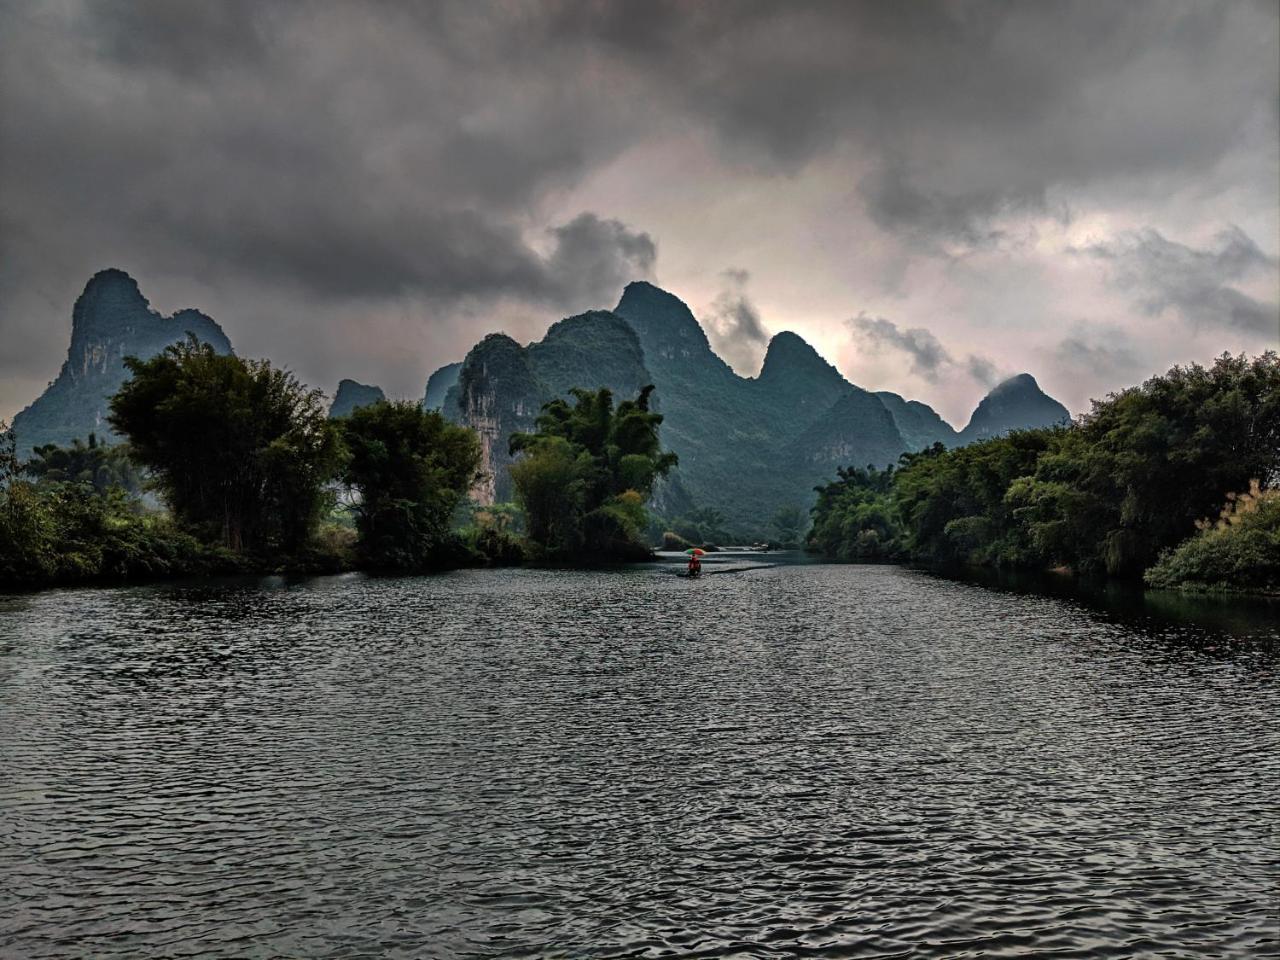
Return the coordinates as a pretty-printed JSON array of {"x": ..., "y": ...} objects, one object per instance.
[{"x": 1196, "y": 284}]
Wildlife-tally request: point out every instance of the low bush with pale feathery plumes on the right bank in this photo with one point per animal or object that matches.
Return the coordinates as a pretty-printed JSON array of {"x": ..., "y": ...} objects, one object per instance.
[{"x": 1240, "y": 551}]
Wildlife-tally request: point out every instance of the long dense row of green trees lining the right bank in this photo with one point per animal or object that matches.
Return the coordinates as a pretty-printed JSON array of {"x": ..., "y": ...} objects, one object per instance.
[{"x": 1105, "y": 496}]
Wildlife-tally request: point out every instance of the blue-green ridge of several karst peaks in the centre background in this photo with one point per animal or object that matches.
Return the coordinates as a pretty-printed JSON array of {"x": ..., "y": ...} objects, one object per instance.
[{"x": 747, "y": 446}]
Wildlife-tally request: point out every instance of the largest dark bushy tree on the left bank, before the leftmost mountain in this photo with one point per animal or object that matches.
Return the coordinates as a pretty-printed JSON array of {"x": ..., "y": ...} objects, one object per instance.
[{"x": 241, "y": 451}]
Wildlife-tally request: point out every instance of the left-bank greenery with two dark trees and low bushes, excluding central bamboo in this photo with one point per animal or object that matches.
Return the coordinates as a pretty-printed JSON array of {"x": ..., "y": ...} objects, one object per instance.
[{"x": 250, "y": 470}]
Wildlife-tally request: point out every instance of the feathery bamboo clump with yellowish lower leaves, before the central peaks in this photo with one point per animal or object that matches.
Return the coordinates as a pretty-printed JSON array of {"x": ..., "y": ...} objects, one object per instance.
[{"x": 584, "y": 478}]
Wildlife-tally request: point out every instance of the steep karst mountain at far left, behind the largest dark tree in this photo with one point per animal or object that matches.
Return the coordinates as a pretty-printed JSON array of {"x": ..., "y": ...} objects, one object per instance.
[{"x": 111, "y": 322}]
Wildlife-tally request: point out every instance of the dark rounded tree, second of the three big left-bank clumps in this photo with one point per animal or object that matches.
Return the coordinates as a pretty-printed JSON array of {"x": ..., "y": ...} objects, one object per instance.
[{"x": 412, "y": 470}]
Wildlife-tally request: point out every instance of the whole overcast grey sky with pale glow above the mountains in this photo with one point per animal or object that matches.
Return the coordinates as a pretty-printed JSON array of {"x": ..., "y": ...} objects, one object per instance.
[{"x": 934, "y": 195}]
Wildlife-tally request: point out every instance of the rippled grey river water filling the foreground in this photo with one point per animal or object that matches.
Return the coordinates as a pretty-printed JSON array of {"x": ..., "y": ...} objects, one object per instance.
[{"x": 819, "y": 761}]
